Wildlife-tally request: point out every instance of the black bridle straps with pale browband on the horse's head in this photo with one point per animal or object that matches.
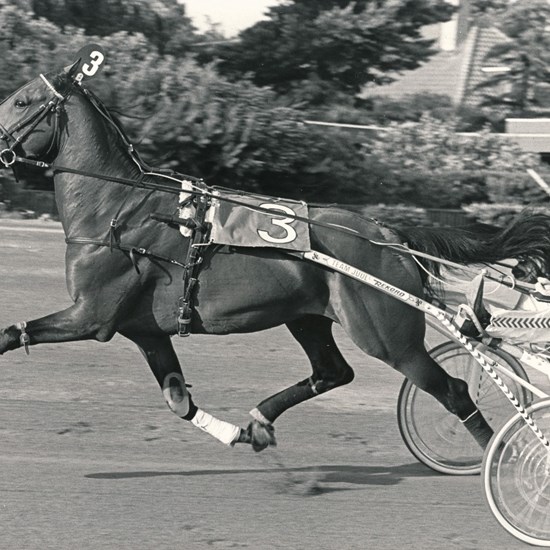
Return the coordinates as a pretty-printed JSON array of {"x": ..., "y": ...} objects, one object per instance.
[{"x": 30, "y": 122}]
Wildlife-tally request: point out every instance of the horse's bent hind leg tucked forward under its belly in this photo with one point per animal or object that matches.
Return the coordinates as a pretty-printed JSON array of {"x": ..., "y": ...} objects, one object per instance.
[{"x": 330, "y": 370}]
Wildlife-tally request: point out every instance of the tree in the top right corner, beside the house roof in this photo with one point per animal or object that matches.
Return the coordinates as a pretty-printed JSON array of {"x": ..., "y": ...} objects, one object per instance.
[{"x": 524, "y": 58}]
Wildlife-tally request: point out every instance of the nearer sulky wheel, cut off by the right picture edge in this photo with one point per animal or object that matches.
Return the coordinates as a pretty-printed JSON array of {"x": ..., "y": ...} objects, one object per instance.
[{"x": 516, "y": 477}]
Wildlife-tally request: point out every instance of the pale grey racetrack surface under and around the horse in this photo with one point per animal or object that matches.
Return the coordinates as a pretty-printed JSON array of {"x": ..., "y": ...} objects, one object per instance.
[{"x": 91, "y": 458}]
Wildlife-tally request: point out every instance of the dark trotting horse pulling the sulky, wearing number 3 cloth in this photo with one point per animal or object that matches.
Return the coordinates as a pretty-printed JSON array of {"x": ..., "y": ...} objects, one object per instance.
[{"x": 55, "y": 119}]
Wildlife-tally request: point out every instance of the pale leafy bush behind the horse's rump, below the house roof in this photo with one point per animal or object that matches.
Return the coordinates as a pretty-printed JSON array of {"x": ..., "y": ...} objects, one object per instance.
[{"x": 428, "y": 164}]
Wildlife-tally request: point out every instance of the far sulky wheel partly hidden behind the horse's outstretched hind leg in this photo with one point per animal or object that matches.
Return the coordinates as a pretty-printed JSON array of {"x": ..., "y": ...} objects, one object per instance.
[{"x": 435, "y": 436}]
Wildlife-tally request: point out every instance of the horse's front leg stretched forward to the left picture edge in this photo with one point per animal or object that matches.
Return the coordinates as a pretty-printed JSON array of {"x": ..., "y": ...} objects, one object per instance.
[{"x": 77, "y": 322}]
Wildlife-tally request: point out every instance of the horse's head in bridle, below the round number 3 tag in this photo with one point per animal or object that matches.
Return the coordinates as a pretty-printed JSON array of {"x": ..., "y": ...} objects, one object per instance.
[{"x": 30, "y": 118}]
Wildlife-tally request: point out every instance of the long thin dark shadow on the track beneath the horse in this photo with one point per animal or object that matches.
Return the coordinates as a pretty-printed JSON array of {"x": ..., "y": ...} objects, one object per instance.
[{"x": 327, "y": 475}]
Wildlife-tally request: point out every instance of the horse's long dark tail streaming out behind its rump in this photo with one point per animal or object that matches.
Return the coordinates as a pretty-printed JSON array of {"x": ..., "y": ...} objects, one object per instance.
[{"x": 528, "y": 236}]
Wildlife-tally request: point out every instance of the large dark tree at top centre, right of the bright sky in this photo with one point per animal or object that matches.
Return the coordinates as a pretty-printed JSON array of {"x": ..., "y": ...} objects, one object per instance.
[{"x": 315, "y": 49}]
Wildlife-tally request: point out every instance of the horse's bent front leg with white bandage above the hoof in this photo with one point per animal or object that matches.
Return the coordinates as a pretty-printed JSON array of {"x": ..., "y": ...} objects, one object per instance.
[{"x": 164, "y": 363}]
